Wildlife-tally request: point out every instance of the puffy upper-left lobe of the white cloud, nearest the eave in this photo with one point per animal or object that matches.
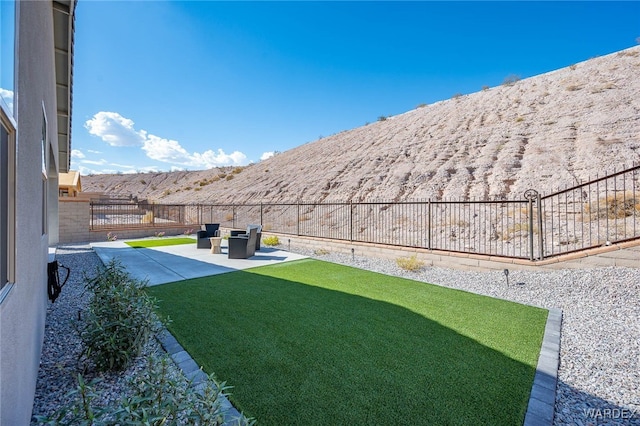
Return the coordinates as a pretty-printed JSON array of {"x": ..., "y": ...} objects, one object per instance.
[{"x": 114, "y": 129}]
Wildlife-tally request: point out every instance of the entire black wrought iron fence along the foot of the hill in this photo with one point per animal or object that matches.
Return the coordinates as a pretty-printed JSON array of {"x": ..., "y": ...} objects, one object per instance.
[{"x": 600, "y": 212}]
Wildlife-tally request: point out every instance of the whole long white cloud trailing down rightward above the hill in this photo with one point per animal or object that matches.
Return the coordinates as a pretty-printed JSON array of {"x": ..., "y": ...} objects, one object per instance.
[{"x": 119, "y": 131}]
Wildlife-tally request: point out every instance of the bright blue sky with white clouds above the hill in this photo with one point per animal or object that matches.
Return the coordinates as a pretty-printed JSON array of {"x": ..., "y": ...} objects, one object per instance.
[{"x": 174, "y": 85}]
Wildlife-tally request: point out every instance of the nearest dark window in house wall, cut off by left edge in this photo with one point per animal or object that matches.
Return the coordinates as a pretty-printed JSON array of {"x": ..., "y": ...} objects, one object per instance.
[{"x": 7, "y": 201}]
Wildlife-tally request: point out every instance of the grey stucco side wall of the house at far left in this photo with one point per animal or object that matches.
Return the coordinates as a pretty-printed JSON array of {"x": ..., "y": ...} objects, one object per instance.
[{"x": 23, "y": 307}]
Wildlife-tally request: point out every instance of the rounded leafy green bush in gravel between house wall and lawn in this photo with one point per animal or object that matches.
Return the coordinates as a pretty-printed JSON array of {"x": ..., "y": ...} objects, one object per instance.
[{"x": 119, "y": 319}]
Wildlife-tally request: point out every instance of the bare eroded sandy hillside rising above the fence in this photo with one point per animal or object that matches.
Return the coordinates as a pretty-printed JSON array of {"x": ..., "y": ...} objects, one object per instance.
[{"x": 545, "y": 132}]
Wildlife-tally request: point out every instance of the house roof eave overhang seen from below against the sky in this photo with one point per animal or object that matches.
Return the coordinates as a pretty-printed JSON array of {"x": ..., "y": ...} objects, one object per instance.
[{"x": 64, "y": 22}]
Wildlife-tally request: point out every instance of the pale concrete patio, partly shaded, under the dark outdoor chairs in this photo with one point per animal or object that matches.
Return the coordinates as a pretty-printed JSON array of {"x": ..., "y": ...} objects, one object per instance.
[{"x": 165, "y": 264}]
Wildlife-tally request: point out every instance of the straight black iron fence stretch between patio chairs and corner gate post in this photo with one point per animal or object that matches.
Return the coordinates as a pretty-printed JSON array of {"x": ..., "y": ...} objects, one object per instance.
[{"x": 483, "y": 227}]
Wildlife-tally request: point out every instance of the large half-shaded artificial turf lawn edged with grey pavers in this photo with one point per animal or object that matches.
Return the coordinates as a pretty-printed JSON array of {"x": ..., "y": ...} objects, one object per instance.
[{"x": 311, "y": 342}]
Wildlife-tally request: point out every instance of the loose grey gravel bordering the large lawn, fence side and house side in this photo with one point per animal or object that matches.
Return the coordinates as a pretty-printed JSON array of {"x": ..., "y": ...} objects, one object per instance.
[{"x": 599, "y": 376}]
